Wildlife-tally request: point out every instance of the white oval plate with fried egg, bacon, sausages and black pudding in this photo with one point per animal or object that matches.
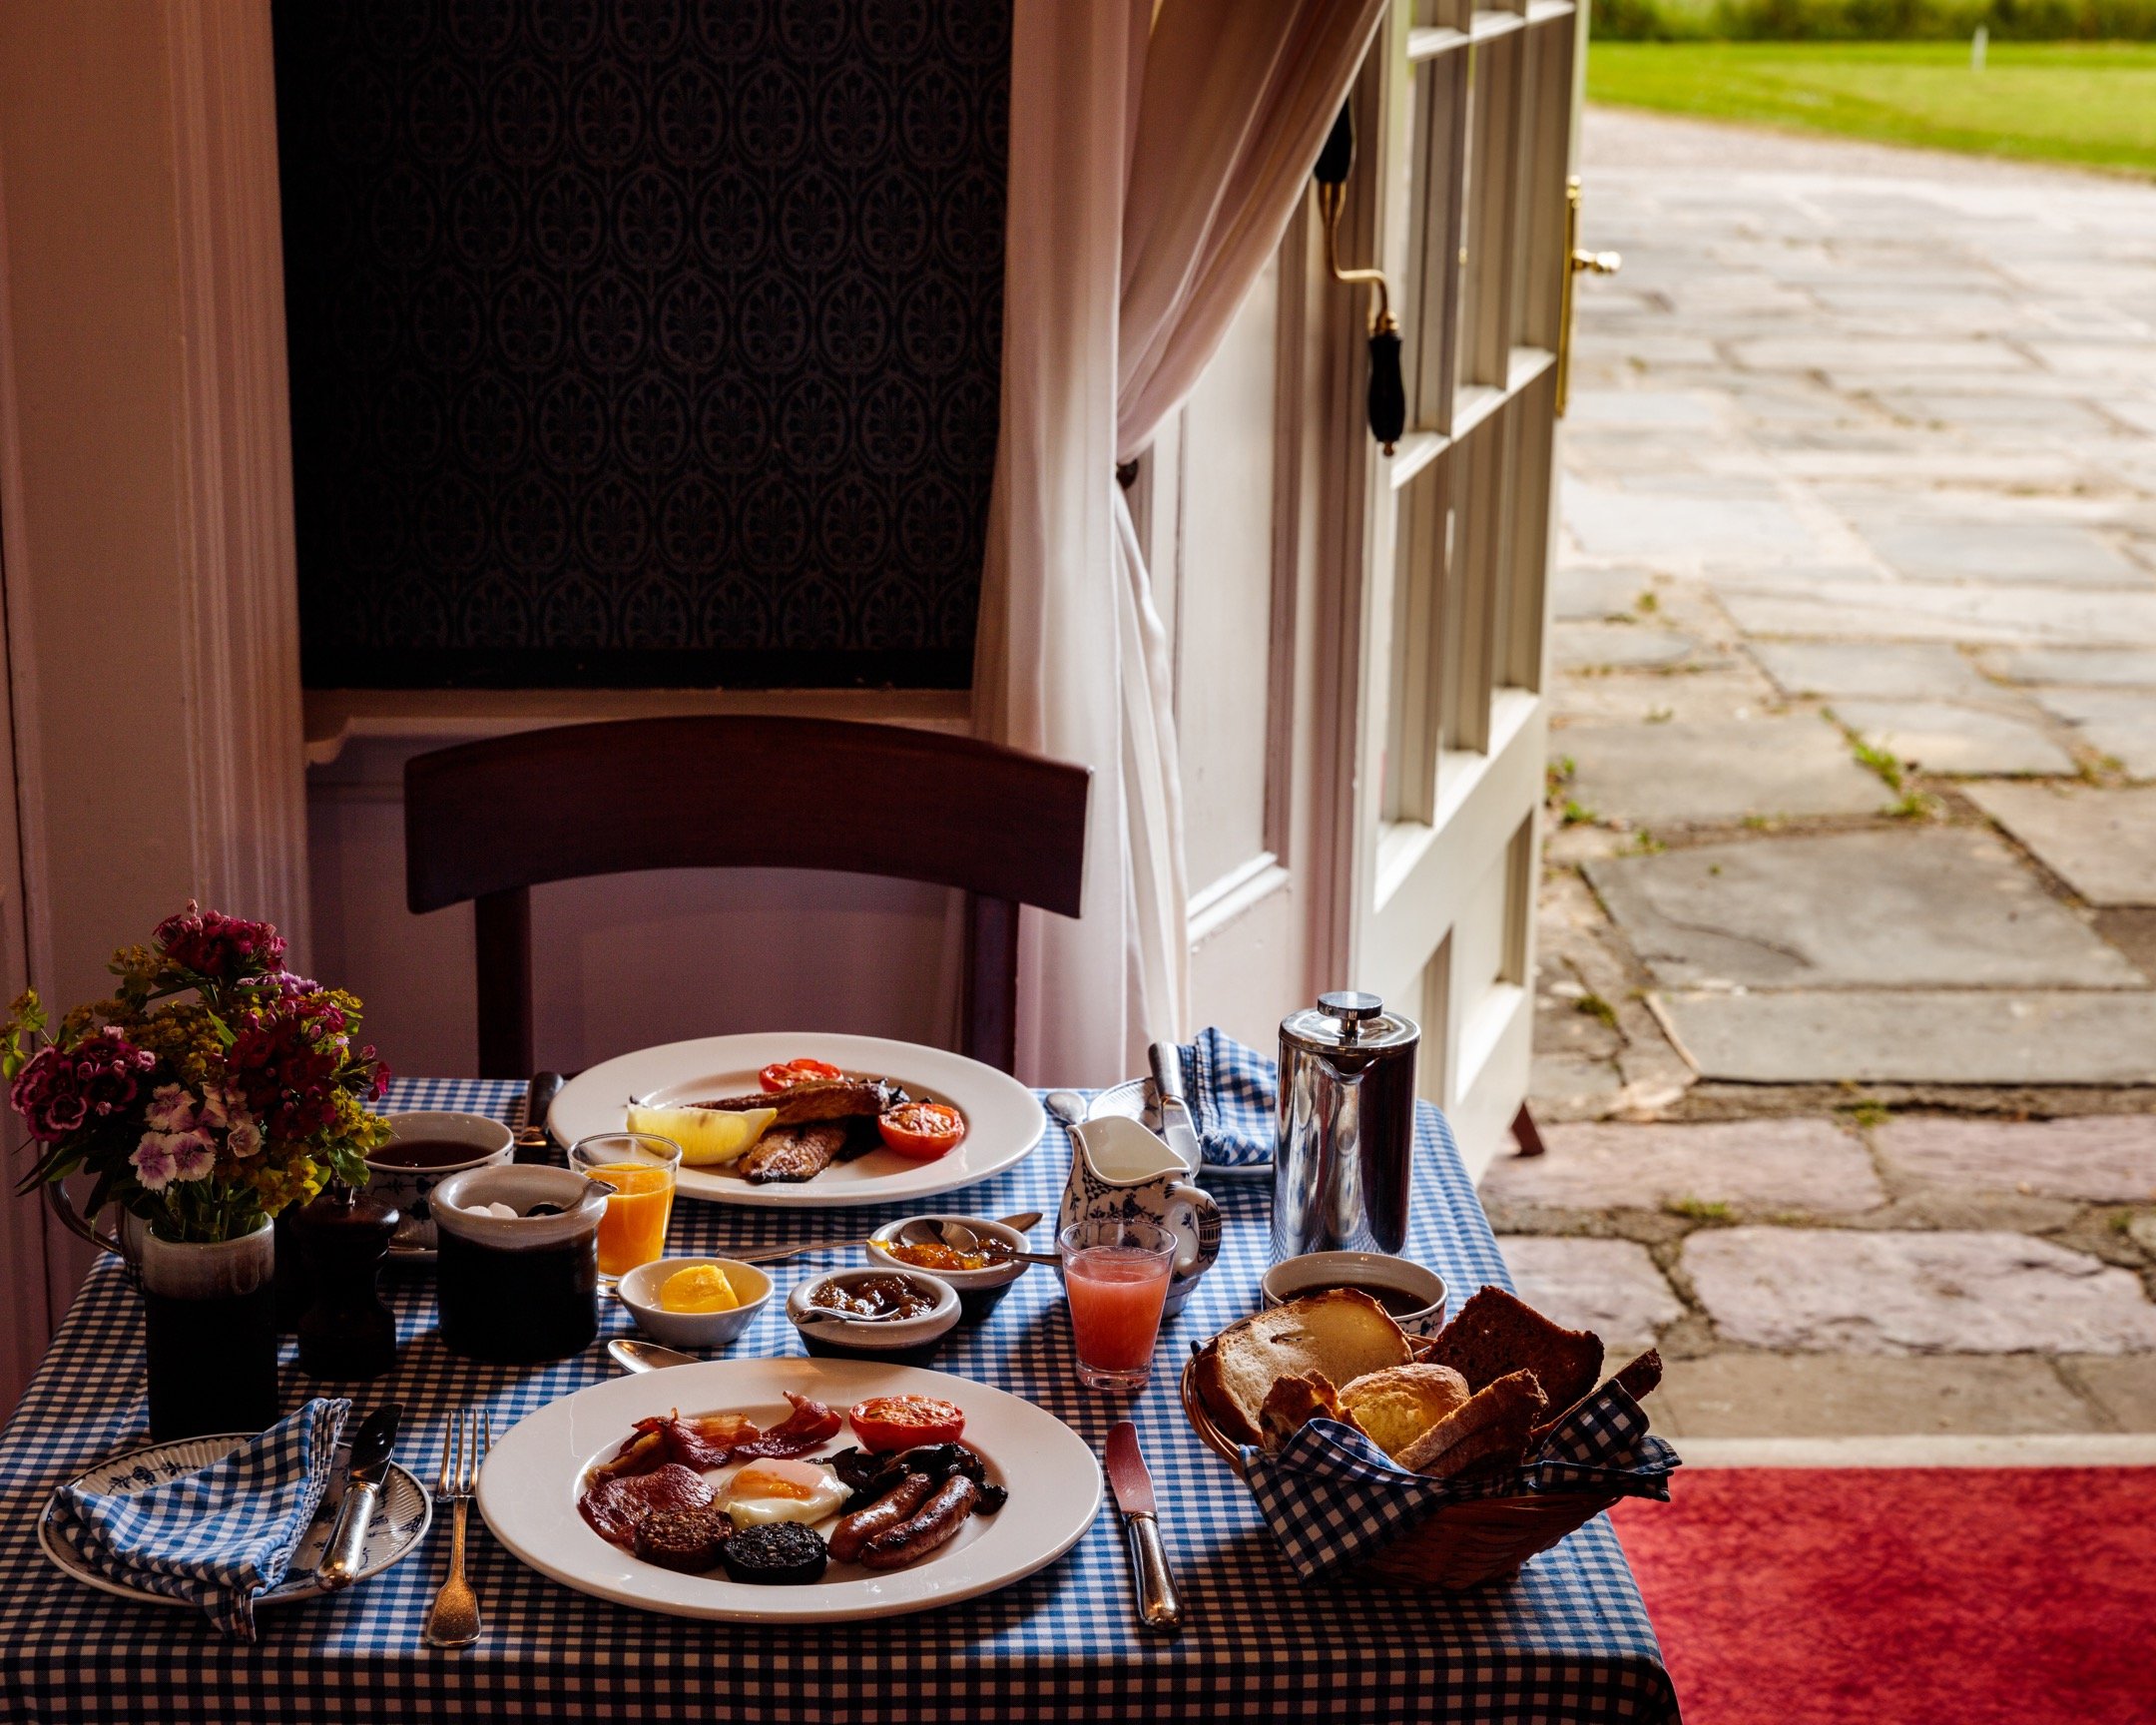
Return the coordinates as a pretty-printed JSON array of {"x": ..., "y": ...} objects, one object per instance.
[{"x": 790, "y": 1491}]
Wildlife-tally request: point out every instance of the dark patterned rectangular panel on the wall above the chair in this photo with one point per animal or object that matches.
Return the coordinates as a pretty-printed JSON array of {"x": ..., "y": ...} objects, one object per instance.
[{"x": 641, "y": 342}]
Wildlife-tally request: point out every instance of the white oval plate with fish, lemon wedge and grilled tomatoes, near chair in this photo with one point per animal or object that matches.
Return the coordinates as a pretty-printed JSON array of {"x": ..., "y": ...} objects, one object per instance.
[{"x": 810, "y": 1120}]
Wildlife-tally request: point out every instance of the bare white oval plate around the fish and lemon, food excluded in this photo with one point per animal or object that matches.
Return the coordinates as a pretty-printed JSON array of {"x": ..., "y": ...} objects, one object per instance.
[{"x": 1004, "y": 1120}]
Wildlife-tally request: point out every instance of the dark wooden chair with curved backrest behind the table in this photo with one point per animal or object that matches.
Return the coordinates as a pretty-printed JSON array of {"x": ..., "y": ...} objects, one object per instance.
[{"x": 490, "y": 820}]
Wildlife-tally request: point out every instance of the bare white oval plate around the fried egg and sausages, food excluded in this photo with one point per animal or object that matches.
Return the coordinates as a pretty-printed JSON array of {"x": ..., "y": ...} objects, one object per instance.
[{"x": 531, "y": 1482}]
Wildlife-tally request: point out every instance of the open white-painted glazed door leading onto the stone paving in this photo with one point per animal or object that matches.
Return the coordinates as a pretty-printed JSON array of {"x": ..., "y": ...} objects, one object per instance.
[{"x": 1465, "y": 133}]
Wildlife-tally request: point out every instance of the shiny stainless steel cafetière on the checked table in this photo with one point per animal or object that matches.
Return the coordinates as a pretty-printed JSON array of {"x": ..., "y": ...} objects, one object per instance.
[{"x": 1346, "y": 1135}]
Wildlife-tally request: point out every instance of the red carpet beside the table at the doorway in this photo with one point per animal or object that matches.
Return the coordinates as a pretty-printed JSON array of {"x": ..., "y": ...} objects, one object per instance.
[{"x": 1905, "y": 1597}]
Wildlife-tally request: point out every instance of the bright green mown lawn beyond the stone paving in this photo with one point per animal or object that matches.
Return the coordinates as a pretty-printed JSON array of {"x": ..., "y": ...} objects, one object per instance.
[{"x": 2056, "y": 102}]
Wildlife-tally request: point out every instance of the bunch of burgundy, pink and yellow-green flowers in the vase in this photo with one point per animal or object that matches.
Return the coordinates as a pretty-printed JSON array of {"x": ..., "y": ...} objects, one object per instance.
[{"x": 215, "y": 1090}]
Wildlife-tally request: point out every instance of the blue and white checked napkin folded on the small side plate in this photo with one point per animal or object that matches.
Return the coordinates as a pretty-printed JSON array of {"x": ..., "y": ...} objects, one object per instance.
[{"x": 215, "y": 1538}]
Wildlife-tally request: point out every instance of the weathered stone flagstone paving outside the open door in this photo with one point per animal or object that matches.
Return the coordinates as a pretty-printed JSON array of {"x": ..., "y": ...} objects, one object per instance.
[{"x": 1847, "y": 1027}]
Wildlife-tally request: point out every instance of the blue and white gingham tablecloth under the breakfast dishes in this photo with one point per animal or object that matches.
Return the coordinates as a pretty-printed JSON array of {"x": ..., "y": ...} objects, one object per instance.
[{"x": 1568, "y": 1640}]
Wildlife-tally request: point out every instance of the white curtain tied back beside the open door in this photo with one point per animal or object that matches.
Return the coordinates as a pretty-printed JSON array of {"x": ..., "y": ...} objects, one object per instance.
[{"x": 1155, "y": 165}]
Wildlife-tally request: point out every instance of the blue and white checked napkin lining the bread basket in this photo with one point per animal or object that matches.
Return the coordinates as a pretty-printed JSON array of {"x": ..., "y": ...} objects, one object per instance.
[{"x": 1331, "y": 1498}]
